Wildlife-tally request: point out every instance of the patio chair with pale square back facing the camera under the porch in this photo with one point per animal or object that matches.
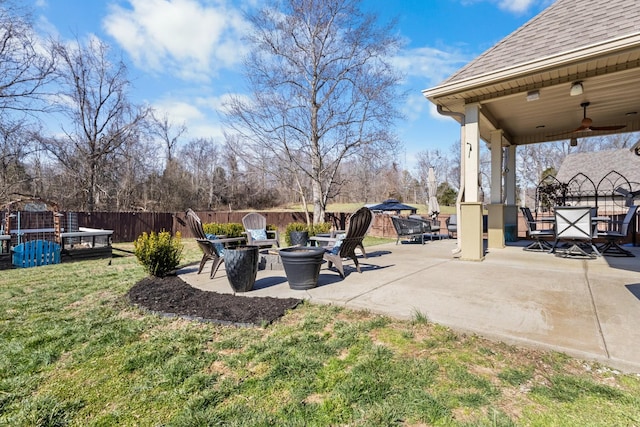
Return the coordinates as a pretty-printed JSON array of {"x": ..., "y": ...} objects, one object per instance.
[{"x": 574, "y": 225}]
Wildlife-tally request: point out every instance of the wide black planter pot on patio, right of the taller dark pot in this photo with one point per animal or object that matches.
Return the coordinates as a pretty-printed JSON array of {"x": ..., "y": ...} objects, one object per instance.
[{"x": 302, "y": 266}]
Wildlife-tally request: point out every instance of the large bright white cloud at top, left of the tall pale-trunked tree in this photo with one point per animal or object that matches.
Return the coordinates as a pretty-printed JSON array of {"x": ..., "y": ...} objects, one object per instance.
[{"x": 181, "y": 37}]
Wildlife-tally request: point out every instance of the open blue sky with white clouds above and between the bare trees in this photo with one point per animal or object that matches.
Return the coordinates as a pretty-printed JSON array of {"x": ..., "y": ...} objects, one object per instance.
[{"x": 184, "y": 56}]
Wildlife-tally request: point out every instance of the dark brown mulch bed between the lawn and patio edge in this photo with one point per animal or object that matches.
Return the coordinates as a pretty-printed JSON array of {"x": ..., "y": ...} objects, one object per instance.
[{"x": 172, "y": 296}]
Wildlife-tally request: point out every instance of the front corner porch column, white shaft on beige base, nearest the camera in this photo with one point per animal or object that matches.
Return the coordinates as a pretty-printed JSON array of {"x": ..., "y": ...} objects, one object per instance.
[{"x": 470, "y": 219}]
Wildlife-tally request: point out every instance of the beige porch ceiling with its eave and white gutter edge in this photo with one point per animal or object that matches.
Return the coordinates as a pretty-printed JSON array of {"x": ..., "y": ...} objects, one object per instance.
[{"x": 609, "y": 74}]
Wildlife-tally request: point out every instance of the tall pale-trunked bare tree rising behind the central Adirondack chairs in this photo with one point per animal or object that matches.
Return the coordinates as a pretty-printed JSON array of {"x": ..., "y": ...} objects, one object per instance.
[{"x": 322, "y": 88}]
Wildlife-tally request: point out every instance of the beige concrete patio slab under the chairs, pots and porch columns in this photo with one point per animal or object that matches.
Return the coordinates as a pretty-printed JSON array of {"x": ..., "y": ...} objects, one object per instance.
[{"x": 587, "y": 308}]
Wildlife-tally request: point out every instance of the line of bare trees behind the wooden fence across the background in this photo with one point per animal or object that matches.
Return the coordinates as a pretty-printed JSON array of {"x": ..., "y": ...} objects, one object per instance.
[{"x": 316, "y": 126}]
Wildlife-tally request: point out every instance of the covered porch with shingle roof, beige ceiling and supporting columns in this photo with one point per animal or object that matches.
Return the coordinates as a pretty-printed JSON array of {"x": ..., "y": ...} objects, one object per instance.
[{"x": 547, "y": 81}]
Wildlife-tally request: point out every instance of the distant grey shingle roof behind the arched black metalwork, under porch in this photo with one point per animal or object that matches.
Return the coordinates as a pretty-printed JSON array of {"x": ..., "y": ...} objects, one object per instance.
[{"x": 597, "y": 164}]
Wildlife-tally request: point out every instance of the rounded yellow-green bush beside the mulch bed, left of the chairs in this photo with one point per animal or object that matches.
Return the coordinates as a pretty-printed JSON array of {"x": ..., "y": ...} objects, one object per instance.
[{"x": 158, "y": 253}]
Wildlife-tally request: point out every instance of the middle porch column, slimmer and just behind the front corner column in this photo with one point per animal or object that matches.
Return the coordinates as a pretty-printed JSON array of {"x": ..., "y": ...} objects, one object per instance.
[{"x": 495, "y": 229}]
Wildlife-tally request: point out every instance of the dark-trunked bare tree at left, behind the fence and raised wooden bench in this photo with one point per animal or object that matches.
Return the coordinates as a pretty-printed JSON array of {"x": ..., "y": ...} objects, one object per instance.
[{"x": 94, "y": 99}]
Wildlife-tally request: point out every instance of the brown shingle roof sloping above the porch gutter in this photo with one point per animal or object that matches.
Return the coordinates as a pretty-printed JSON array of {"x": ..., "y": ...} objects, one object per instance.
[{"x": 564, "y": 26}]
